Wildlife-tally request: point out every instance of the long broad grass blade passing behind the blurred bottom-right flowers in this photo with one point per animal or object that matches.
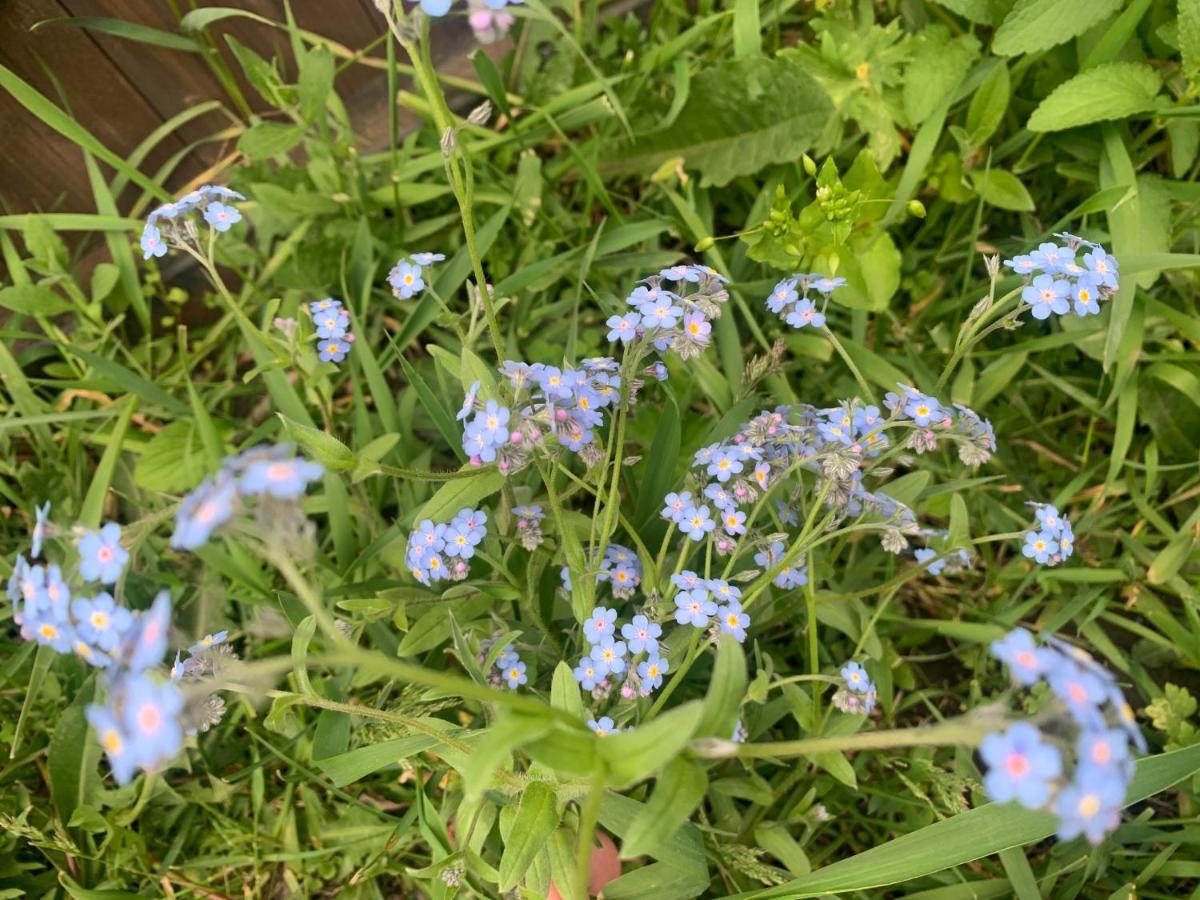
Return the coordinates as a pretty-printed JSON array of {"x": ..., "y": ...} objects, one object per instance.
[{"x": 967, "y": 837}]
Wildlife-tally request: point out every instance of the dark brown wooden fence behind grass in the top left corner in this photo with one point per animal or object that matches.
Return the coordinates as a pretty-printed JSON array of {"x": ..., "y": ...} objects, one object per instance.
[{"x": 122, "y": 91}]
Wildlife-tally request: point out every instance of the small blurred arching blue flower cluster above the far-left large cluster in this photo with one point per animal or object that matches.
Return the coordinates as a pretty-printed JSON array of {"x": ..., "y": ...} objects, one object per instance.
[{"x": 271, "y": 472}]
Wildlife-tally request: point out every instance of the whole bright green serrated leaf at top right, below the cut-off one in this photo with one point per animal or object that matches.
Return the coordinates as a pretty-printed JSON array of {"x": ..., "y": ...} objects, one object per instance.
[{"x": 1114, "y": 91}]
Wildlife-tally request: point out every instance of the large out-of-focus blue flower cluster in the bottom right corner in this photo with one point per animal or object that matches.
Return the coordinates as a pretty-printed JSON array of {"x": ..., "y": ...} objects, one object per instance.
[{"x": 1089, "y": 725}]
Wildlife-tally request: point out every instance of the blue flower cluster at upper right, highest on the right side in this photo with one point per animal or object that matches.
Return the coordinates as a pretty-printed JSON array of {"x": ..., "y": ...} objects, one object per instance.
[{"x": 1061, "y": 284}]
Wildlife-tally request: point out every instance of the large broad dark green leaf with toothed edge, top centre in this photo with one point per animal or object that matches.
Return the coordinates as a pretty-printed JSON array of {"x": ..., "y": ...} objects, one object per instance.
[{"x": 740, "y": 118}]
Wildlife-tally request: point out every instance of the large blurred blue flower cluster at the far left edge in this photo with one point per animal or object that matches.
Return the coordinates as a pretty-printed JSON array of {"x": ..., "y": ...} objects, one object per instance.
[{"x": 140, "y": 724}]
